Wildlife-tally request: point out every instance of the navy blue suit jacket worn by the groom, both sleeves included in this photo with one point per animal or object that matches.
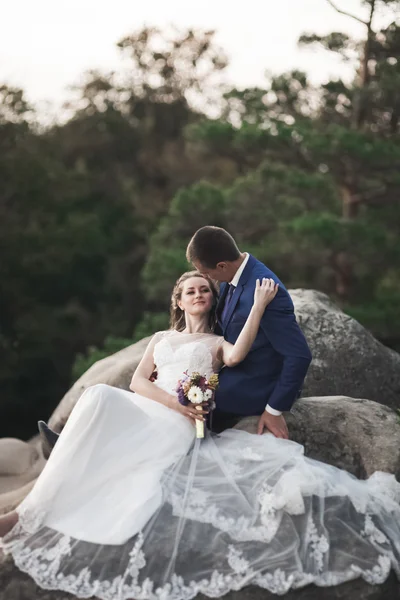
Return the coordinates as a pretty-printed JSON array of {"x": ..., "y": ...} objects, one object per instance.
[{"x": 273, "y": 372}]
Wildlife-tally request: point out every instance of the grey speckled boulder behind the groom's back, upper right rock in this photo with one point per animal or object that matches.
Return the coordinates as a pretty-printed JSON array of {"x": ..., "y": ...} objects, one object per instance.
[{"x": 347, "y": 359}]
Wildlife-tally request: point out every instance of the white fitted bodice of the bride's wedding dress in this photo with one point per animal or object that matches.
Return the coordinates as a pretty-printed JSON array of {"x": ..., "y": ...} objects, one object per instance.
[{"x": 176, "y": 352}]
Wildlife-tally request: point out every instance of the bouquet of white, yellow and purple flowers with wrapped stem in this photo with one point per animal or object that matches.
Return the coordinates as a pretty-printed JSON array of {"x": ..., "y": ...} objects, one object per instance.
[{"x": 196, "y": 389}]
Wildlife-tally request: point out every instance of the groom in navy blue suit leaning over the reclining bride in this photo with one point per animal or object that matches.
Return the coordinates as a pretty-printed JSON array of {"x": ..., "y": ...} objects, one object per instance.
[{"x": 269, "y": 380}]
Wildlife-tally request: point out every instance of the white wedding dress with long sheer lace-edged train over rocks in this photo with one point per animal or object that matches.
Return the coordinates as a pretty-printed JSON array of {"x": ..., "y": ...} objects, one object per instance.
[{"x": 131, "y": 505}]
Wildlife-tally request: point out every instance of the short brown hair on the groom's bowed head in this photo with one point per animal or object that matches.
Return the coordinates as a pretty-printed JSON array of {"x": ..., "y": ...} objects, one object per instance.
[{"x": 211, "y": 245}]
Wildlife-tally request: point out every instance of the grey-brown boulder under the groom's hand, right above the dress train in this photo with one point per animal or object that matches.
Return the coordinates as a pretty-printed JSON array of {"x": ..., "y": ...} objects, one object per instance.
[{"x": 360, "y": 436}]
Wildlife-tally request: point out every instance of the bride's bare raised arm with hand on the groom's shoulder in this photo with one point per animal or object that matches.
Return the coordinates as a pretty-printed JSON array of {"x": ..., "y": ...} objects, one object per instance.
[{"x": 233, "y": 354}]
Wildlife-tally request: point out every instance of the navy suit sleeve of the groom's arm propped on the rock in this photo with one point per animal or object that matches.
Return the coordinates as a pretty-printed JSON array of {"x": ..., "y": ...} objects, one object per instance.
[{"x": 284, "y": 334}]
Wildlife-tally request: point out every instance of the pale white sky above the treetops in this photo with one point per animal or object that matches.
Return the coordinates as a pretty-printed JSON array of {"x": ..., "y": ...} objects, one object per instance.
[{"x": 45, "y": 46}]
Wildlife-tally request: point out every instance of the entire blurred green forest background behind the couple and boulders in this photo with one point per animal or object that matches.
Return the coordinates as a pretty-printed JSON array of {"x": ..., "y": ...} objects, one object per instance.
[{"x": 96, "y": 214}]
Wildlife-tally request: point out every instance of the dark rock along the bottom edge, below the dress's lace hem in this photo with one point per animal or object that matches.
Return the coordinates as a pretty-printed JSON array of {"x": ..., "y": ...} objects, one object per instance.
[{"x": 15, "y": 585}]
